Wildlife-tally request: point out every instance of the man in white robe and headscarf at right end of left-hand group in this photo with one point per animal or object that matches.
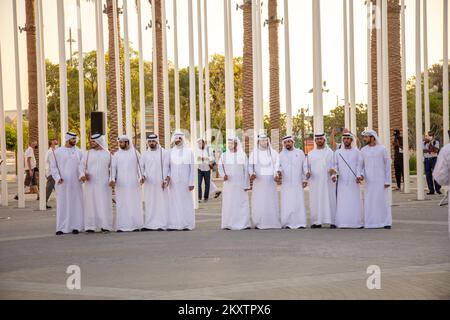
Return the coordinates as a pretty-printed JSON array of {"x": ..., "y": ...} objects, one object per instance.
[{"x": 182, "y": 174}]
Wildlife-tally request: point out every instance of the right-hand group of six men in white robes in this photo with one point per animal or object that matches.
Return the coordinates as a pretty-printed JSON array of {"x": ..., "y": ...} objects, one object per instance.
[{"x": 334, "y": 179}]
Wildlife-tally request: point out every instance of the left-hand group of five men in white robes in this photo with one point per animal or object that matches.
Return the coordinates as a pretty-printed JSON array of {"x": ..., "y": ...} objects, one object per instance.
[{"x": 85, "y": 183}]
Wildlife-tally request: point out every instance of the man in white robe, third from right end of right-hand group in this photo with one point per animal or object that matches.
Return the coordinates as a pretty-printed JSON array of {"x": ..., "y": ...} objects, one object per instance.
[{"x": 322, "y": 190}]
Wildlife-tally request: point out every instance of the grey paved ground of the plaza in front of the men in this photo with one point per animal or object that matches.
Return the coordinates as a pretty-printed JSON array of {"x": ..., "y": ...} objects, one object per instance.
[{"x": 208, "y": 263}]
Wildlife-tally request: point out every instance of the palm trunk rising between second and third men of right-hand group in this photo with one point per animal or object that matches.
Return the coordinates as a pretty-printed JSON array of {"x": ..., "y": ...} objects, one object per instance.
[{"x": 273, "y": 22}]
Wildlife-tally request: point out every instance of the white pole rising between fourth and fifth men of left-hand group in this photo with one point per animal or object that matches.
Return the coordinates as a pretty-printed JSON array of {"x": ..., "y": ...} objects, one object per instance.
[{"x": 165, "y": 77}]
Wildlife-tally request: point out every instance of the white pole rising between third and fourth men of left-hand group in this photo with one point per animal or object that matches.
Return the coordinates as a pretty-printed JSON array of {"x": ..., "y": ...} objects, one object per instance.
[{"x": 141, "y": 80}]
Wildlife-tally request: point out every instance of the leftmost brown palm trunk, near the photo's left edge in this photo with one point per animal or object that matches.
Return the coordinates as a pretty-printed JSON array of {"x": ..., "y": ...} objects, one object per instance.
[{"x": 30, "y": 28}]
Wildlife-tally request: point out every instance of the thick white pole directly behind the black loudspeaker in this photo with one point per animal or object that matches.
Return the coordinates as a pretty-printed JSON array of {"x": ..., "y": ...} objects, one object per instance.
[{"x": 101, "y": 75}]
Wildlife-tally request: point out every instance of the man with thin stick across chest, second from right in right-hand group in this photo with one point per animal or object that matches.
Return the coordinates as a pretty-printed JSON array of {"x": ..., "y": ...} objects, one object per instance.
[{"x": 348, "y": 166}]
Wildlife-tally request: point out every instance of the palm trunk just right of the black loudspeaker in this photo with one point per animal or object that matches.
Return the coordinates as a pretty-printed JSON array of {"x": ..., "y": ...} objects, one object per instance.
[{"x": 112, "y": 93}]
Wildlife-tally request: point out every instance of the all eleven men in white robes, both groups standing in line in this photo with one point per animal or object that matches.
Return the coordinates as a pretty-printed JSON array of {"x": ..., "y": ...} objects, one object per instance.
[{"x": 165, "y": 179}]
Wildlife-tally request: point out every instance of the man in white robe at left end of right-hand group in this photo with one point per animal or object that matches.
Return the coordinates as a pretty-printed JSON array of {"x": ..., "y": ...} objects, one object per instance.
[{"x": 233, "y": 167}]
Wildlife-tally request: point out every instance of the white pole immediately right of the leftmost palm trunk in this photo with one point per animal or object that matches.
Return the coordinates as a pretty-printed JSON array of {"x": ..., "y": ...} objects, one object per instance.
[{"x": 42, "y": 101}]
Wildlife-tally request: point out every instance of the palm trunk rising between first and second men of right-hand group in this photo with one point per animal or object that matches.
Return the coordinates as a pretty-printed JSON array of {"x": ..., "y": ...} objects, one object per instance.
[{"x": 247, "y": 75}]
